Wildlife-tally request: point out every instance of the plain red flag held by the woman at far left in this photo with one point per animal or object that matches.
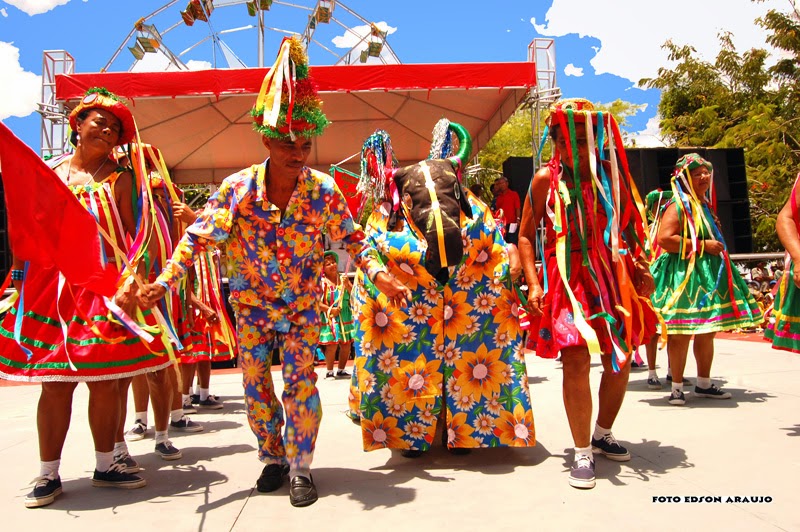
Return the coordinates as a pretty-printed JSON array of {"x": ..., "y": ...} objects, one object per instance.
[{"x": 47, "y": 225}]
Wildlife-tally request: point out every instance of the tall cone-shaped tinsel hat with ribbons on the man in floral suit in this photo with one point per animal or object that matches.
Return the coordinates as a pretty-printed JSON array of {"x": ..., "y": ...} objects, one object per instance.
[{"x": 288, "y": 104}]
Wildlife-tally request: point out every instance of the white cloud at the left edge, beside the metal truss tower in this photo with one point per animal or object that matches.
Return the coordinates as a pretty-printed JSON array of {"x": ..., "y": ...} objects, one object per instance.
[{"x": 20, "y": 90}]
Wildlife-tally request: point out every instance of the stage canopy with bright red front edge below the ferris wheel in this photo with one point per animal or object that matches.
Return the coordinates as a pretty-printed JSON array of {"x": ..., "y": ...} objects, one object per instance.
[{"x": 201, "y": 119}]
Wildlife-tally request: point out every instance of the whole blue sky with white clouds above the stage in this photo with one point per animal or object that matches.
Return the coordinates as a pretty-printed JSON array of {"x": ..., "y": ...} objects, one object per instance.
[{"x": 602, "y": 47}]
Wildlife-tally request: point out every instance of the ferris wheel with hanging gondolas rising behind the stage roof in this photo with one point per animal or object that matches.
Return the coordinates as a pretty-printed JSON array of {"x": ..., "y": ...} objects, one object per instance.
[{"x": 210, "y": 34}]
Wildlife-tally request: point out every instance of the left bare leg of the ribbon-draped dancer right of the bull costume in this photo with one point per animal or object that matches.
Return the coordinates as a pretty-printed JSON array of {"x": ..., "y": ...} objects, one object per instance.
[{"x": 577, "y": 394}]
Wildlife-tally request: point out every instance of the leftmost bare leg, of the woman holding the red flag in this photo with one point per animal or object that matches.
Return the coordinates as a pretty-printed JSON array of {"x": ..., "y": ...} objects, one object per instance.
[{"x": 52, "y": 418}]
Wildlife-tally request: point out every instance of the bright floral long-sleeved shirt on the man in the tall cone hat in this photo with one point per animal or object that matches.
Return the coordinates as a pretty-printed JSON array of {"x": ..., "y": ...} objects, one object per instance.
[{"x": 274, "y": 260}]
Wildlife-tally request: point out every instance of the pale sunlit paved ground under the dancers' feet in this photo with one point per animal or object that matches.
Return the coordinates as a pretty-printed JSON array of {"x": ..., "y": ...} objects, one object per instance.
[{"x": 745, "y": 447}]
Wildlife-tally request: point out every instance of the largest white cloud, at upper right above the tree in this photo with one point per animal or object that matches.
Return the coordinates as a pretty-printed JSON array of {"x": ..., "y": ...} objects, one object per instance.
[{"x": 631, "y": 32}]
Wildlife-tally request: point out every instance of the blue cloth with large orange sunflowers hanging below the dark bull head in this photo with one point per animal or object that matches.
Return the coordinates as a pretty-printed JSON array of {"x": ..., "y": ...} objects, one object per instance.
[{"x": 456, "y": 347}]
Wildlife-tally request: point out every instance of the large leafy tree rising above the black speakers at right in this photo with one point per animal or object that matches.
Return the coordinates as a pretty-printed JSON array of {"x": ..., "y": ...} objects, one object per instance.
[{"x": 740, "y": 101}]
